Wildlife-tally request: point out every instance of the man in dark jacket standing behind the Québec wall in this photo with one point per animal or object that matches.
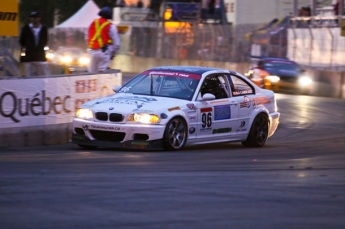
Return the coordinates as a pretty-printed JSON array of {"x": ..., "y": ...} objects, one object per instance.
[{"x": 33, "y": 38}]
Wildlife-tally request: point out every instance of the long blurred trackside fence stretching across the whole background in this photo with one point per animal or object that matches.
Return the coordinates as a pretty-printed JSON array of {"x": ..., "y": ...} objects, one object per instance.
[{"x": 211, "y": 42}]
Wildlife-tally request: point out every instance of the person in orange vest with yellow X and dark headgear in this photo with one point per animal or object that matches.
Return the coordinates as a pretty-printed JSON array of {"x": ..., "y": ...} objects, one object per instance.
[{"x": 103, "y": 41}]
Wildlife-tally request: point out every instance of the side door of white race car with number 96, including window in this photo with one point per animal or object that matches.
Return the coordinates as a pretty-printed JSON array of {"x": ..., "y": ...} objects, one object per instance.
[{"x": 217, "y": 117}]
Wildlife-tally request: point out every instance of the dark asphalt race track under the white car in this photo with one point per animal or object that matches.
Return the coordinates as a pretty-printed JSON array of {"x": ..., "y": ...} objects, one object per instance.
[{"x": 296, "y": 181}]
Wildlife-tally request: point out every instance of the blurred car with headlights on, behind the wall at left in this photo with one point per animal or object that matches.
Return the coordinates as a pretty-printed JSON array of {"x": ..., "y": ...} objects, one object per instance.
[{"x": 74, "y": 58}]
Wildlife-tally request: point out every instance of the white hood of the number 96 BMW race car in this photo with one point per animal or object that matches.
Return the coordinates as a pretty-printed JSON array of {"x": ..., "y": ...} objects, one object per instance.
[{"x": 128, "y": 103}]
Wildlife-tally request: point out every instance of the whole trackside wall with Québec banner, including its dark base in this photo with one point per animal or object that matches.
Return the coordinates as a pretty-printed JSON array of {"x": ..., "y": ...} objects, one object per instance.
[{"x": 39, "y": 111}]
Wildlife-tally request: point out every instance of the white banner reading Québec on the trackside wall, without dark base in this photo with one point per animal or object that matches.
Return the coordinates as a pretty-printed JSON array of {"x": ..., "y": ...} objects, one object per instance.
[{"x": 46, "y": 101}]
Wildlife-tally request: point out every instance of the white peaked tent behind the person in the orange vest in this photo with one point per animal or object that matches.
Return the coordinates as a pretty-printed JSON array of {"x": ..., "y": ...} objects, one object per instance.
[{"x": 82, "y": 18}]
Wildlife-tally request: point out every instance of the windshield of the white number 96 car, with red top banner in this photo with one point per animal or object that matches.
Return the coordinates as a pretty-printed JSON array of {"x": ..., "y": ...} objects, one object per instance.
[{"x": 171, "y": 84}]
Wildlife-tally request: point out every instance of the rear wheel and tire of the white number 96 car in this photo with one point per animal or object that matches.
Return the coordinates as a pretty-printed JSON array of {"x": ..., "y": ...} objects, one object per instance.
[{"x": 258, "y": 133}]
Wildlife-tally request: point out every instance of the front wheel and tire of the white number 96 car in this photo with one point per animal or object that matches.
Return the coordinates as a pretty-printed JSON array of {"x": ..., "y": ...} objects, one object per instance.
[{"x": 175, "y": 134}]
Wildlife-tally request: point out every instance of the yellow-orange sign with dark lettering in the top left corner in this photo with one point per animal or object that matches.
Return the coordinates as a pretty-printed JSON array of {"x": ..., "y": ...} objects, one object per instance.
[{"x": 9, "y": 17}]
